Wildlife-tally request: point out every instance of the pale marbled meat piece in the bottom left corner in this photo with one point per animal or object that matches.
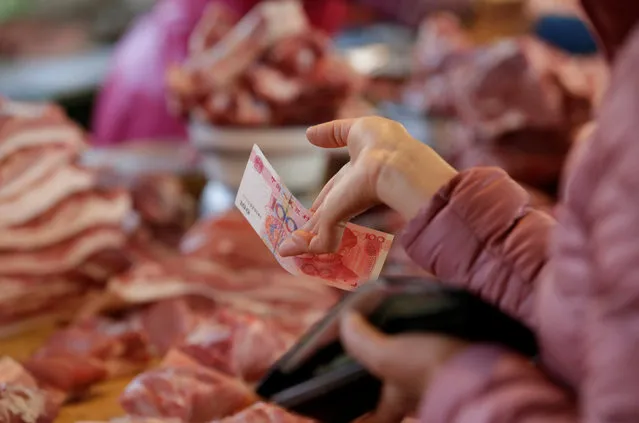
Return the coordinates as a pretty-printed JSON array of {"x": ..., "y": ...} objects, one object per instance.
[{"x": 21, "y": 400}]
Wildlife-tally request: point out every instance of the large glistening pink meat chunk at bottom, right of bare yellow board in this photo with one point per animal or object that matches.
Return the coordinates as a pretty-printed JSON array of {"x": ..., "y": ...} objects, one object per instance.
[{"x": 183, "y": 389}]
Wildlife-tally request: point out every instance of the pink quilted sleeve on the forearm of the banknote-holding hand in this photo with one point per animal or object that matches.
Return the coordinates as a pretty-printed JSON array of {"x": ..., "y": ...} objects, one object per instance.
[{"x": 497, "y": 251}]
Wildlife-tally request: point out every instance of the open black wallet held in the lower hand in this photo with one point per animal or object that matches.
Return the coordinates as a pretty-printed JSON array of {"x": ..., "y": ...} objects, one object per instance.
[{"x": 317, "y": 379}]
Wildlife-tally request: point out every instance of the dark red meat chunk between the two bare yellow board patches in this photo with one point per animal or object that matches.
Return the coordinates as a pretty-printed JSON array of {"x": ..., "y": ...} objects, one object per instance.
[{"x": 90, "y": 351}]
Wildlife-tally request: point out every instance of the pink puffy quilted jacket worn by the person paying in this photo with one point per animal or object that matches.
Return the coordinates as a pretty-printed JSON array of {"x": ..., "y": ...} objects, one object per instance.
[{"x": 574, "y": 280}]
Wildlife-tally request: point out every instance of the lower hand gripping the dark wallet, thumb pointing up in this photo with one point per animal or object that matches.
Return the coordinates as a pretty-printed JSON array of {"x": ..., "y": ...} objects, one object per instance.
[{"x": 405, "y": 364}]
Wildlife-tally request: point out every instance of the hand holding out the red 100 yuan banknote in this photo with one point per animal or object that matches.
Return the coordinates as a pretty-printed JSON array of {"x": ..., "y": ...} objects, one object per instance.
[{"x": 387, "y": 166}]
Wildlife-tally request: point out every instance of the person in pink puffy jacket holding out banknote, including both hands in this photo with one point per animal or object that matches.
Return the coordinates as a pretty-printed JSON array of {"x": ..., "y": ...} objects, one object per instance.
[{"x": 573, "y": 279}]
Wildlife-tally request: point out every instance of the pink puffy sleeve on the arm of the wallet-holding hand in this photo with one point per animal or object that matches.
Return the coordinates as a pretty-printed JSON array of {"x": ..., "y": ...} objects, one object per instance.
[{"x": 486, "y": 384}]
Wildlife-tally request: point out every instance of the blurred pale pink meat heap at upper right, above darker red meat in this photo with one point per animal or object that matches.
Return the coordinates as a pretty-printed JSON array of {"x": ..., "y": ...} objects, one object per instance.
[{"x": 476, "y": 82}]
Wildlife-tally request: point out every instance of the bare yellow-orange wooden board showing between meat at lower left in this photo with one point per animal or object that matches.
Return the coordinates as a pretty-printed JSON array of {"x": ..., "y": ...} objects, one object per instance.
[{"x": 103, "y": 403}]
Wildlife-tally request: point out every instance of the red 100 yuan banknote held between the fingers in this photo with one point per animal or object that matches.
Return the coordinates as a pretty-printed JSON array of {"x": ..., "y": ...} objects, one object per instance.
[{"x": 275, "y": 213}]
